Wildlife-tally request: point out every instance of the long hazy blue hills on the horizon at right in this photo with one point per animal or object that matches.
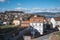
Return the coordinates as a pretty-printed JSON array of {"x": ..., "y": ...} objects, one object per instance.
[{"x": 48, "y": 14}]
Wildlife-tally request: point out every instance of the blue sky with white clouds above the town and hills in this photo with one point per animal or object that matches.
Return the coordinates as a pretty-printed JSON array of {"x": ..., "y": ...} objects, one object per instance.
[{"x": 30, "y": 5}]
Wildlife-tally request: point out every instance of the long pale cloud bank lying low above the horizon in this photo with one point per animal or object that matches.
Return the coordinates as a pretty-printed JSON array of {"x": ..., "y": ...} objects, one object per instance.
[{"x": 33, "y": 10}]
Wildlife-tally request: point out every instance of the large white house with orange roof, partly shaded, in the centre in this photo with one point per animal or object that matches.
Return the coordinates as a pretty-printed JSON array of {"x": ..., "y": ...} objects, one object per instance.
[{"x": 36, "y": 22}]
